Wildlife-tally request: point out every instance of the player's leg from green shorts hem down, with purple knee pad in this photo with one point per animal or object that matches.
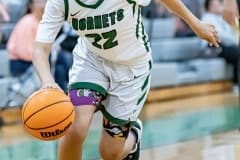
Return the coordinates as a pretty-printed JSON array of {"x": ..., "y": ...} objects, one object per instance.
[{"x": 86, "y": 101}]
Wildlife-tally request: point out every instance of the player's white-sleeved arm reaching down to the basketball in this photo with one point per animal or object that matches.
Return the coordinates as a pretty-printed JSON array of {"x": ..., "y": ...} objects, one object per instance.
[{"x": 48, "y": 29}]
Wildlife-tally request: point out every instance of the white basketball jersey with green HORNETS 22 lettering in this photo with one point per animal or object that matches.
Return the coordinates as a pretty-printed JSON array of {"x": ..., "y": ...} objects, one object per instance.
[{"x": 112, "y": 29}]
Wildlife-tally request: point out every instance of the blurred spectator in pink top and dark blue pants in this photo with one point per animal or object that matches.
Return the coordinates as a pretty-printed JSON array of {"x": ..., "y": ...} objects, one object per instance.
[{"x": 21, "y": 41}]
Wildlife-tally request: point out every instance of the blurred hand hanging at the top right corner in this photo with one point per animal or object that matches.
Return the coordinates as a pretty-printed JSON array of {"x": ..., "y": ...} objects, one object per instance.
[{"x": 230, "y": 12}]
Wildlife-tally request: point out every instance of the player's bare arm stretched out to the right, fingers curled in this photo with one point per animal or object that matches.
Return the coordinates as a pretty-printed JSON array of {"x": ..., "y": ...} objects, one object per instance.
[{"x": 202, "y": 30}]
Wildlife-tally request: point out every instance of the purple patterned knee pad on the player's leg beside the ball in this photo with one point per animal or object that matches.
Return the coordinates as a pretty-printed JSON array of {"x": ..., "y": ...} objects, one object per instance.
[{"x": 85, "y": 97}]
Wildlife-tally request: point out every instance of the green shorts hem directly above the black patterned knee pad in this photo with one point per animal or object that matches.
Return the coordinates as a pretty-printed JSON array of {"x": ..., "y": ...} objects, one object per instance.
[{"x": 114, "y": 120}]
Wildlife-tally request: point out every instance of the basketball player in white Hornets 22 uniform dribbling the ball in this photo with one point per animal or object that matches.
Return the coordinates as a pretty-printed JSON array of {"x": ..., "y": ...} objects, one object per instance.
[{"x": 111, "y": 68}]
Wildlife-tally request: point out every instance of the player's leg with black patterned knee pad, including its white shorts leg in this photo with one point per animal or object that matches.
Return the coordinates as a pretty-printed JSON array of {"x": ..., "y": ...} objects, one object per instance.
[{"x": 121, "y": 130}]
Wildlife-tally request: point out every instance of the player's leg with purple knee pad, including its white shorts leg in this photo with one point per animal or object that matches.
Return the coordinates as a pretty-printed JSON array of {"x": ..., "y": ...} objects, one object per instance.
[{"x": 86, "y": 90}]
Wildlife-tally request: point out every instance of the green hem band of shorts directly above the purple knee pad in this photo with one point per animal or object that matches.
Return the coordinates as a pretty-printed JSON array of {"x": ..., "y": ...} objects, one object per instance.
[{"x": 88, "y": 85}]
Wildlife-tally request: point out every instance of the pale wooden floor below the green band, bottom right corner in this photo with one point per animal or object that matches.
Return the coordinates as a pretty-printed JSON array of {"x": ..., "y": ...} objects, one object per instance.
[{"x": 224, "y": 146}]
